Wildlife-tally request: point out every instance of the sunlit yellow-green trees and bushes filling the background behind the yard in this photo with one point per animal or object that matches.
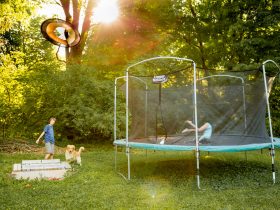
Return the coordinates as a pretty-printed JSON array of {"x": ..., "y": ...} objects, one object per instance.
[{"x": 35, "y": 85}]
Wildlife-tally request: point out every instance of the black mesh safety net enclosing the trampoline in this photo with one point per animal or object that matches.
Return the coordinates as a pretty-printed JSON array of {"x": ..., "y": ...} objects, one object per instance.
[{"x": 161, "y": 100}]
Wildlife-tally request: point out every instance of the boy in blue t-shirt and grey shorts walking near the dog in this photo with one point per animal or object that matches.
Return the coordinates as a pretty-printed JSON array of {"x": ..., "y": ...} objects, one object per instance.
[{"x": 49, "y": 139}]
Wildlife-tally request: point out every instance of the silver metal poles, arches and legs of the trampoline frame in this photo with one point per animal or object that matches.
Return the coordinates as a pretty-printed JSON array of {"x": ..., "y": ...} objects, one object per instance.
[{"x": 128, "y": 146}]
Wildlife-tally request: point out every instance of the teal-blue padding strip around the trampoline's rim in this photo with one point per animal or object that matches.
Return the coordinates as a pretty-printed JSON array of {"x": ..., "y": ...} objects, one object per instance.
[{"x": 231, "y": 148}]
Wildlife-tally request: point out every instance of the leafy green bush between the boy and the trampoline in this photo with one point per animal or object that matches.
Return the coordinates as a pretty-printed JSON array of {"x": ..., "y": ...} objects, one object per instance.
[{"x": 86, "y": 107}]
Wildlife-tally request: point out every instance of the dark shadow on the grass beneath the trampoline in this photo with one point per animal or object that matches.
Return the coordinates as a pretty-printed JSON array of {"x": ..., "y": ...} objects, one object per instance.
[{"x": 222, "y": 171}]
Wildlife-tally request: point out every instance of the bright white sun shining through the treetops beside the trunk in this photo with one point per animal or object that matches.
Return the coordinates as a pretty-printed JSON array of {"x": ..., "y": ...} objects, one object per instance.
[{"x": 106, "y": 11}]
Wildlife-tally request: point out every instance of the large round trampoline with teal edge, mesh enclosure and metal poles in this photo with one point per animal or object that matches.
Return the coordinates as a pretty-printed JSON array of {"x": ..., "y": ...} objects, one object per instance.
[{"x": 157, "y": 96}]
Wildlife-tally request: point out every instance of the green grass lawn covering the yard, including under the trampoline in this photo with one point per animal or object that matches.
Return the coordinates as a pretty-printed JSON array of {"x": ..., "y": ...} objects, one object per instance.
[{"x": 160, "y": 180}]
